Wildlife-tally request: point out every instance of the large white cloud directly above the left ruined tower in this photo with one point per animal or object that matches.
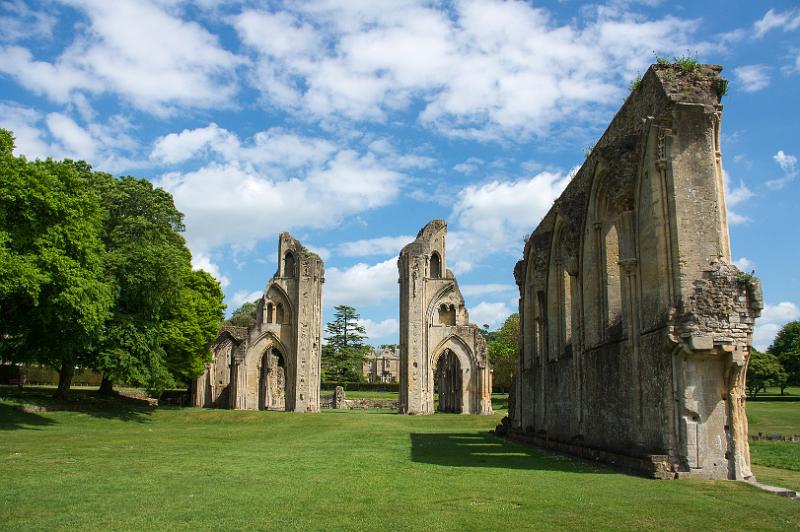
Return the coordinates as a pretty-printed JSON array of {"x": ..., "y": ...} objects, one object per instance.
[{"x": 274, "y": 182}]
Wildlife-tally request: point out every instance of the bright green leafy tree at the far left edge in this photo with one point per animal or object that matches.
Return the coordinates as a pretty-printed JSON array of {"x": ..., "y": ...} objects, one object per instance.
[{"x": 54, "y": 293}]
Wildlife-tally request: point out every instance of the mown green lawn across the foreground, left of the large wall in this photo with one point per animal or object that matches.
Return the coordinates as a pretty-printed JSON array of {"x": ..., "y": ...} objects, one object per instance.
[{"x": 114, "y": 466}]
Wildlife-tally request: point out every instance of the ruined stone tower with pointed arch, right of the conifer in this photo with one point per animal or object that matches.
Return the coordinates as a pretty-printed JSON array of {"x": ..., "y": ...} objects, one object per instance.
[{"x": 440, "y": 351}]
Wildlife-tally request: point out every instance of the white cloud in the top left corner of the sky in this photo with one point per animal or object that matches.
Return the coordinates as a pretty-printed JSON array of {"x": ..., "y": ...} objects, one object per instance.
[{"x": 137, "y": 50}]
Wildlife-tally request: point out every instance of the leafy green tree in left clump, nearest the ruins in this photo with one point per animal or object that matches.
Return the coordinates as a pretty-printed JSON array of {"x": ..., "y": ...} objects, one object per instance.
[{"x": 153, "y": 335}]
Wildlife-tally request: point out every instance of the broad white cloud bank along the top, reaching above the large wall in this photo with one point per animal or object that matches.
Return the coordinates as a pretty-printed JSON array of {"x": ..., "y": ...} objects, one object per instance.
[{"x": 481, "y": 69}]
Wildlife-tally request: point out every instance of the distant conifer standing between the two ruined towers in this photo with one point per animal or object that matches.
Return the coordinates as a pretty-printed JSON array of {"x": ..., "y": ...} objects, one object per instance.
[{"x": 344, "y": 352}]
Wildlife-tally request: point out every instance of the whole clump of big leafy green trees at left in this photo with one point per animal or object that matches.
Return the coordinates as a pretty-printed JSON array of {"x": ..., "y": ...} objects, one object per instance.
[{"x": 95, "y": 273}]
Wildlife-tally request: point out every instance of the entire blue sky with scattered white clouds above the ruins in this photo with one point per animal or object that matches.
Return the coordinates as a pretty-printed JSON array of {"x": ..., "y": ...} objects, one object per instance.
[{"x": 351, "y": 124}]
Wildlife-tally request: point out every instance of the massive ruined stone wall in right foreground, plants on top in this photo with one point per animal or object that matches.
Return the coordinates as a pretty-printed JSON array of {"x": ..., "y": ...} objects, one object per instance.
[{"x": 636, "y": 328}]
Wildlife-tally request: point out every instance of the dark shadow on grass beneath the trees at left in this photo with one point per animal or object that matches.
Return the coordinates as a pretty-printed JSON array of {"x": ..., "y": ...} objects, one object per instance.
[{"x": 22, "y": 407}]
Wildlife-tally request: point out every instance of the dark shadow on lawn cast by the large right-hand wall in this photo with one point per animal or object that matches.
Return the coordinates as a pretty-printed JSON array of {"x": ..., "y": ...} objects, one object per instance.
[{"x": 481, "y": 449}]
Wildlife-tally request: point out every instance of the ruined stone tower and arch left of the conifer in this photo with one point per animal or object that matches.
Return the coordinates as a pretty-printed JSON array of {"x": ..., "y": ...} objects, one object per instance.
[{"x": 275, "y": 363}]
